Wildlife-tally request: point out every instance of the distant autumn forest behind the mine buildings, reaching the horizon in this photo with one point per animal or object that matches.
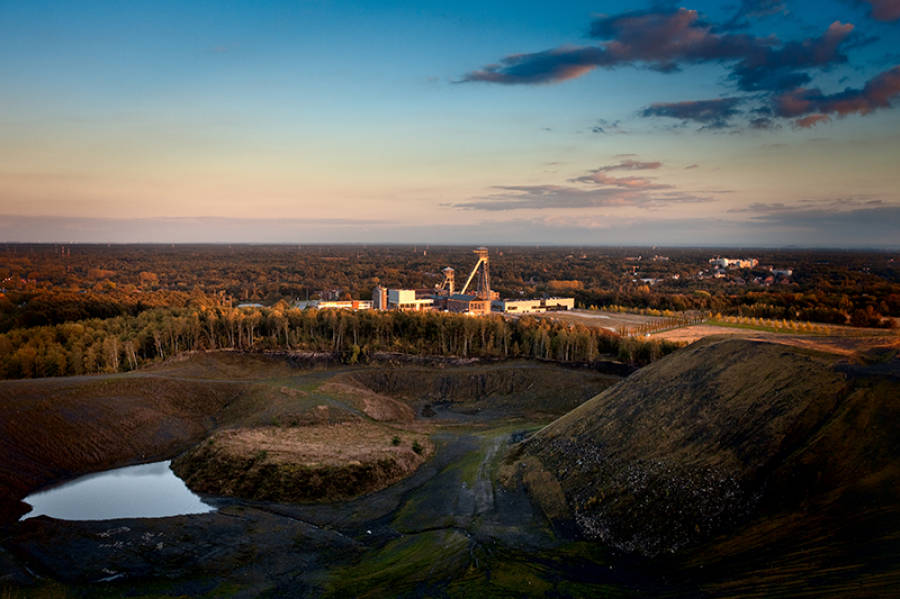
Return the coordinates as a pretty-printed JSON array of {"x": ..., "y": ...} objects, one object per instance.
[{"x": 50, "y": 284}]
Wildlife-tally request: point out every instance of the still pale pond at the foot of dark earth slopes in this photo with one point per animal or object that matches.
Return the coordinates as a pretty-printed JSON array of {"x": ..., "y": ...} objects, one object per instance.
[{"x": 145, "y": 491}]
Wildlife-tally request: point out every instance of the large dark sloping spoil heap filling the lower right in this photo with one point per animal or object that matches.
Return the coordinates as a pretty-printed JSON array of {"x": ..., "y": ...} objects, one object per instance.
[{"x": 720, "y": 440}]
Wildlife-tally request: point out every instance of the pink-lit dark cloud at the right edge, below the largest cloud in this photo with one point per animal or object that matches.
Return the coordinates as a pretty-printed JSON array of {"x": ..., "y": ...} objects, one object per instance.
[{"x": 877, "y": 93}]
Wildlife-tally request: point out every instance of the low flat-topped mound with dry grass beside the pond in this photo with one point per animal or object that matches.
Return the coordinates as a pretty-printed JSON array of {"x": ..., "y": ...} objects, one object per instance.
[{"x": 302, "y": 464}]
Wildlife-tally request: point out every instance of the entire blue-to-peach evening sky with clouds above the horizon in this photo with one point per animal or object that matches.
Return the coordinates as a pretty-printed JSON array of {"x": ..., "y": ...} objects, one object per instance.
[{"x": 754, "y": 123}]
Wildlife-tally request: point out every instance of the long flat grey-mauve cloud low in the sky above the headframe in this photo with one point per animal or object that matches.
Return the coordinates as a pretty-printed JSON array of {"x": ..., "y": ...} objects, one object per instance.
[{"x": 540, "y": 197}]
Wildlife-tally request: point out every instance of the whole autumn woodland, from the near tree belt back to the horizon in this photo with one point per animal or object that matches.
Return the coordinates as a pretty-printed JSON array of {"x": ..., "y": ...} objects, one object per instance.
[{"x": 92, "y": 308}]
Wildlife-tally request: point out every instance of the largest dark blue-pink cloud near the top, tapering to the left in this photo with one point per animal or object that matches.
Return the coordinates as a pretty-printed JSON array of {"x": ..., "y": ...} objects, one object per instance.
[{"x": 663, "y": 39}]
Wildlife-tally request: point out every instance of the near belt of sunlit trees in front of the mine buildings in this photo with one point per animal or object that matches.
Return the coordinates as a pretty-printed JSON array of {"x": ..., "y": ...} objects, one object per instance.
[{"x": 130, "y": 341}]
